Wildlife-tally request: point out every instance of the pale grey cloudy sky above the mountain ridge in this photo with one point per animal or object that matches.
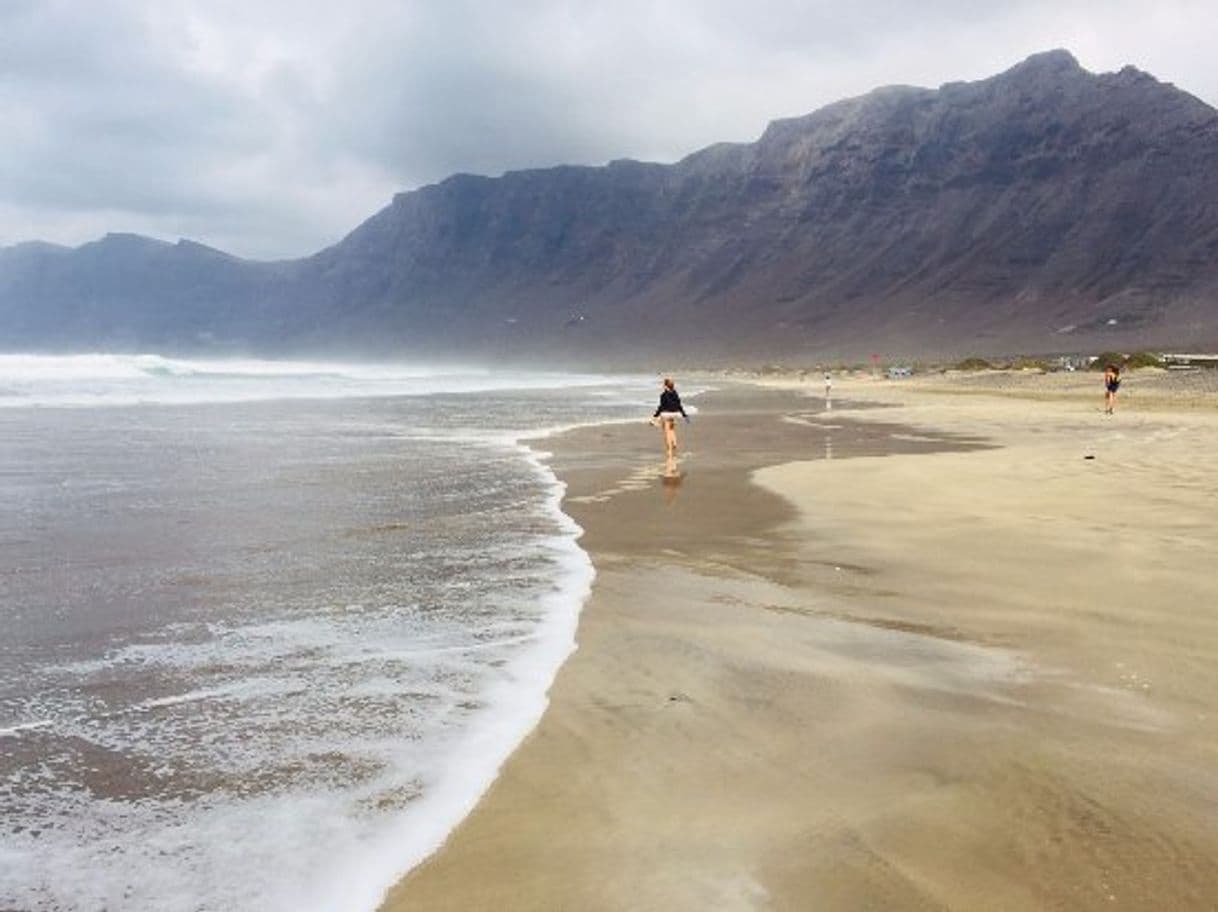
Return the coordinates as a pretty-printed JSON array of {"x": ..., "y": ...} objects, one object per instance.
[{"x": 271, "y": 128}]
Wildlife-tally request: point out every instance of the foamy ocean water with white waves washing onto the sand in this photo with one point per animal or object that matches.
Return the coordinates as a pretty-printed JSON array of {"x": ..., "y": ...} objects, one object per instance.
[{"x": 270, "y": 629}]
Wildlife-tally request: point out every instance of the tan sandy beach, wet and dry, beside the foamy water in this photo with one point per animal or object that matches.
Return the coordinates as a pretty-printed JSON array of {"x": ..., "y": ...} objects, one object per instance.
[{"x": 951, "y": 645}]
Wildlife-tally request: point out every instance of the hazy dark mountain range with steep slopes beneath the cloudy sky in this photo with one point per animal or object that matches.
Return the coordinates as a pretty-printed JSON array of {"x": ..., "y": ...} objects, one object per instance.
[{"x": 1043, "y": 210}]
